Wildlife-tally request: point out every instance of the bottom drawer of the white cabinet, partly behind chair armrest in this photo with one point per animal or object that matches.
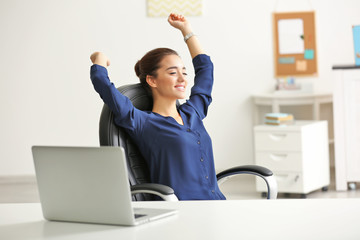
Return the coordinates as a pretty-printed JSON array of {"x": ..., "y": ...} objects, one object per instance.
[{"x": 287, "y": 183}]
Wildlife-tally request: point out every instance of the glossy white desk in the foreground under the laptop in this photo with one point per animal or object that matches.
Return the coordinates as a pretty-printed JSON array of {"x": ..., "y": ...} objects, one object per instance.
[{"x": 244, "y": 219}]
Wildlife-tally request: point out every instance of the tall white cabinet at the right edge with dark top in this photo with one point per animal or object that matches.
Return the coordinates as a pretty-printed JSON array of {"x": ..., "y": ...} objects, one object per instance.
[{"x": 347, "y": 125}]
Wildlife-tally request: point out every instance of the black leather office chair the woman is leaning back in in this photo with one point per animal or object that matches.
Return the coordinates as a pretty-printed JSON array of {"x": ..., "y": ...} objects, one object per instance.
[{"x": 142, "y": 189}]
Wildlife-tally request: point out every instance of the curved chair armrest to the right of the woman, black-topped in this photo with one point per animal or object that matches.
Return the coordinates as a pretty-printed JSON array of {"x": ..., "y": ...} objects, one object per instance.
[{"x": 264, "y": 173}]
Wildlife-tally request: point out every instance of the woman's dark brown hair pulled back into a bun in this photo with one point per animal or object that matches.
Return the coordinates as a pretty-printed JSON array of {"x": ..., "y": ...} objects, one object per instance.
[{"x": 150, "y": 63}]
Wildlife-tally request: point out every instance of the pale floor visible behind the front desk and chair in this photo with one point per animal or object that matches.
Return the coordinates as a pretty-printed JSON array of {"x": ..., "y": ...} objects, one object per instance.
[{"x": 24, "y": 190}]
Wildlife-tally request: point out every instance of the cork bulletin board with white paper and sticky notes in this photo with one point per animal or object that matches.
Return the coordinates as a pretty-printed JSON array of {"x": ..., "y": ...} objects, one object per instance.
[{"x": 294, "y": 44}]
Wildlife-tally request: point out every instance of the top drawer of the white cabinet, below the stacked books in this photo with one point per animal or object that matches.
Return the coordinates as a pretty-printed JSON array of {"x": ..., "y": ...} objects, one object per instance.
[{"x": 277, "y": 141}]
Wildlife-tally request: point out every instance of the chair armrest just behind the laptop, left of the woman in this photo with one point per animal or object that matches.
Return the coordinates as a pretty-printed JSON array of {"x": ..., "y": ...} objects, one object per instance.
[{"x": 165, "y": 192}]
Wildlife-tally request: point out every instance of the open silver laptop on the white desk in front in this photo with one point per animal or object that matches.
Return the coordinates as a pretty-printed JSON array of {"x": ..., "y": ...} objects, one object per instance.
[{"x": 88, "y": 185}]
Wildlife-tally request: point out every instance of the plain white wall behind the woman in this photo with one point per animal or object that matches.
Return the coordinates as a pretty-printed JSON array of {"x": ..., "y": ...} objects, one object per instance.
[{"x": 46, "y": 96}]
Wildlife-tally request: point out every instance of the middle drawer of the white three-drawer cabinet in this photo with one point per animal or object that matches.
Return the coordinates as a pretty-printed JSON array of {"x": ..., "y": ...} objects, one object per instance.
[{"x": 280, "y": 161}]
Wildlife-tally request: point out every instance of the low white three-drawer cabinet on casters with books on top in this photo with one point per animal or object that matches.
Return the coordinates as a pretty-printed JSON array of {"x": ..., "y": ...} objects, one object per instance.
[{"x": 297, "y": 154}]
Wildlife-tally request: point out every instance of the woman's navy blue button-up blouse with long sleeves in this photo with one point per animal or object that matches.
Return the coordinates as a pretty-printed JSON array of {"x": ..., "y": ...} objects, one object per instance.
[{"x": 179, "y": 156}]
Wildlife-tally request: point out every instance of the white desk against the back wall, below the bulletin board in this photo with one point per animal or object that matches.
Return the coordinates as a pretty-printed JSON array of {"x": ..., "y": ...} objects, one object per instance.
[{"x": 290, "y": 99}]
